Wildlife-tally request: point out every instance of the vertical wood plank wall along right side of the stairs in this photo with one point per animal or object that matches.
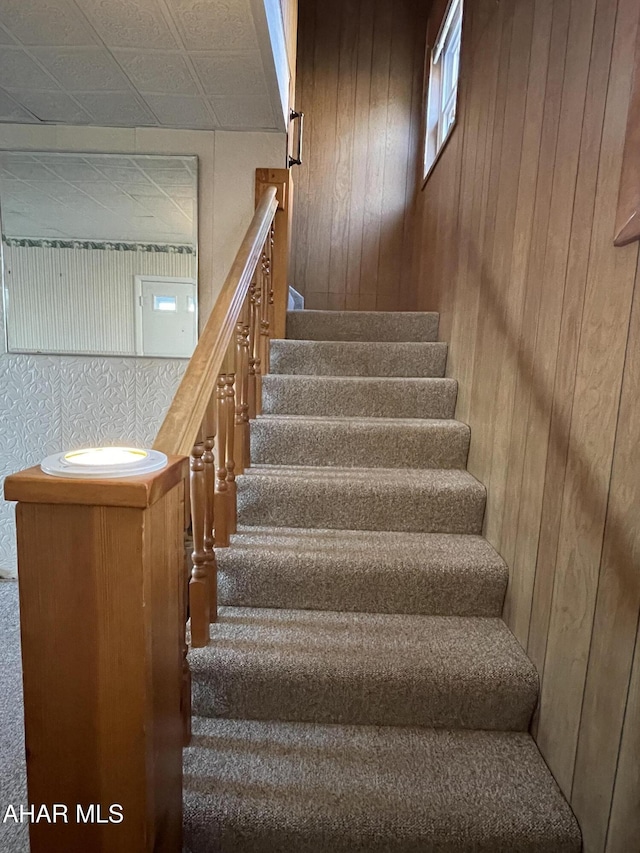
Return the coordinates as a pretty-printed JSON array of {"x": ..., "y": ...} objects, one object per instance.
[{"x": 514, "y": 245}]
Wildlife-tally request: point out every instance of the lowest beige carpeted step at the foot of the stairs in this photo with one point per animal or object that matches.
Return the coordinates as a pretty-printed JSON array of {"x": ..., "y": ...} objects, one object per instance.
[{"x": 266, "y": 787}]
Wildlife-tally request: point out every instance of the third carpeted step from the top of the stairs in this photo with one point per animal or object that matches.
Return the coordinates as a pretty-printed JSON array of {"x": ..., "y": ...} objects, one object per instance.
[{"x": 347, "y": 396}]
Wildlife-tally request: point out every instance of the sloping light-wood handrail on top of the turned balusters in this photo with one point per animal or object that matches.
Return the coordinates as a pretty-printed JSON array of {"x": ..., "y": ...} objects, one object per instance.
[{"x": 181, "y": 427}]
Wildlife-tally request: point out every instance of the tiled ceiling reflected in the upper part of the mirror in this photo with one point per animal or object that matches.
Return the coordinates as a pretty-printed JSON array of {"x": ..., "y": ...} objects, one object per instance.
[{"x": 99, "y": 197}]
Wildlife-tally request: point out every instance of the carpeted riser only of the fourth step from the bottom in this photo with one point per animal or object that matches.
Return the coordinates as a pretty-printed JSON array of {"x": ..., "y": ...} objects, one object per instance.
[{"x": 353, "y": 505}]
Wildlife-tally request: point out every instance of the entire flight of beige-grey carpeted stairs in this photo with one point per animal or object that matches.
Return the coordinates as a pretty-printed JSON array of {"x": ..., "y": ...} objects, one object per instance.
[{"x": 361, "y": 692}]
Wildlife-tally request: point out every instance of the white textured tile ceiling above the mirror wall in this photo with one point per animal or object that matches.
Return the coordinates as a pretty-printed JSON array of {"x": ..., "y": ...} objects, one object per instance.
[{"x": 199, "y": 64}]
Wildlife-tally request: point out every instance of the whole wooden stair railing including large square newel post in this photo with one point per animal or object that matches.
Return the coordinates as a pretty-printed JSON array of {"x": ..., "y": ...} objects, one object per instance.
[{"x": 102, "y": 575}]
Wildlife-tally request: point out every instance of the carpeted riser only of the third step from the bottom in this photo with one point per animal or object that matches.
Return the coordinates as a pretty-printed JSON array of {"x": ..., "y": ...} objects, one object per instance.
[{"x": 308, "y": 581}]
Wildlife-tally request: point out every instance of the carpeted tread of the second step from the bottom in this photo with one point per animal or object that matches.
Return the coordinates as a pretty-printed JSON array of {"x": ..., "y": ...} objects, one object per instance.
[{"x": 383, "y": 645}]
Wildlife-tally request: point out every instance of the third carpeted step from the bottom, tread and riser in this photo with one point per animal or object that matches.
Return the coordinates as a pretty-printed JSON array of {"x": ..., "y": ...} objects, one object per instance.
[{"x": 362, "y": 571}]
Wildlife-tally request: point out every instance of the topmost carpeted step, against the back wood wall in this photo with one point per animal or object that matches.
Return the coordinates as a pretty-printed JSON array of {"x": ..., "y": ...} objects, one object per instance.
[{"x": 362, "y": 326}]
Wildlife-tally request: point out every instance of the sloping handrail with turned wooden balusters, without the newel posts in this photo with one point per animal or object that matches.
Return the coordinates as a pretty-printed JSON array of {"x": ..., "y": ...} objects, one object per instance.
[{"x": 208, "y": 419}]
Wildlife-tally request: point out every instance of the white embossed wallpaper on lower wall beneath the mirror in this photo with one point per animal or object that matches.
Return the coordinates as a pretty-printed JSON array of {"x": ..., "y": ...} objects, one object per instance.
[{"x": 52, "y": 403}]
